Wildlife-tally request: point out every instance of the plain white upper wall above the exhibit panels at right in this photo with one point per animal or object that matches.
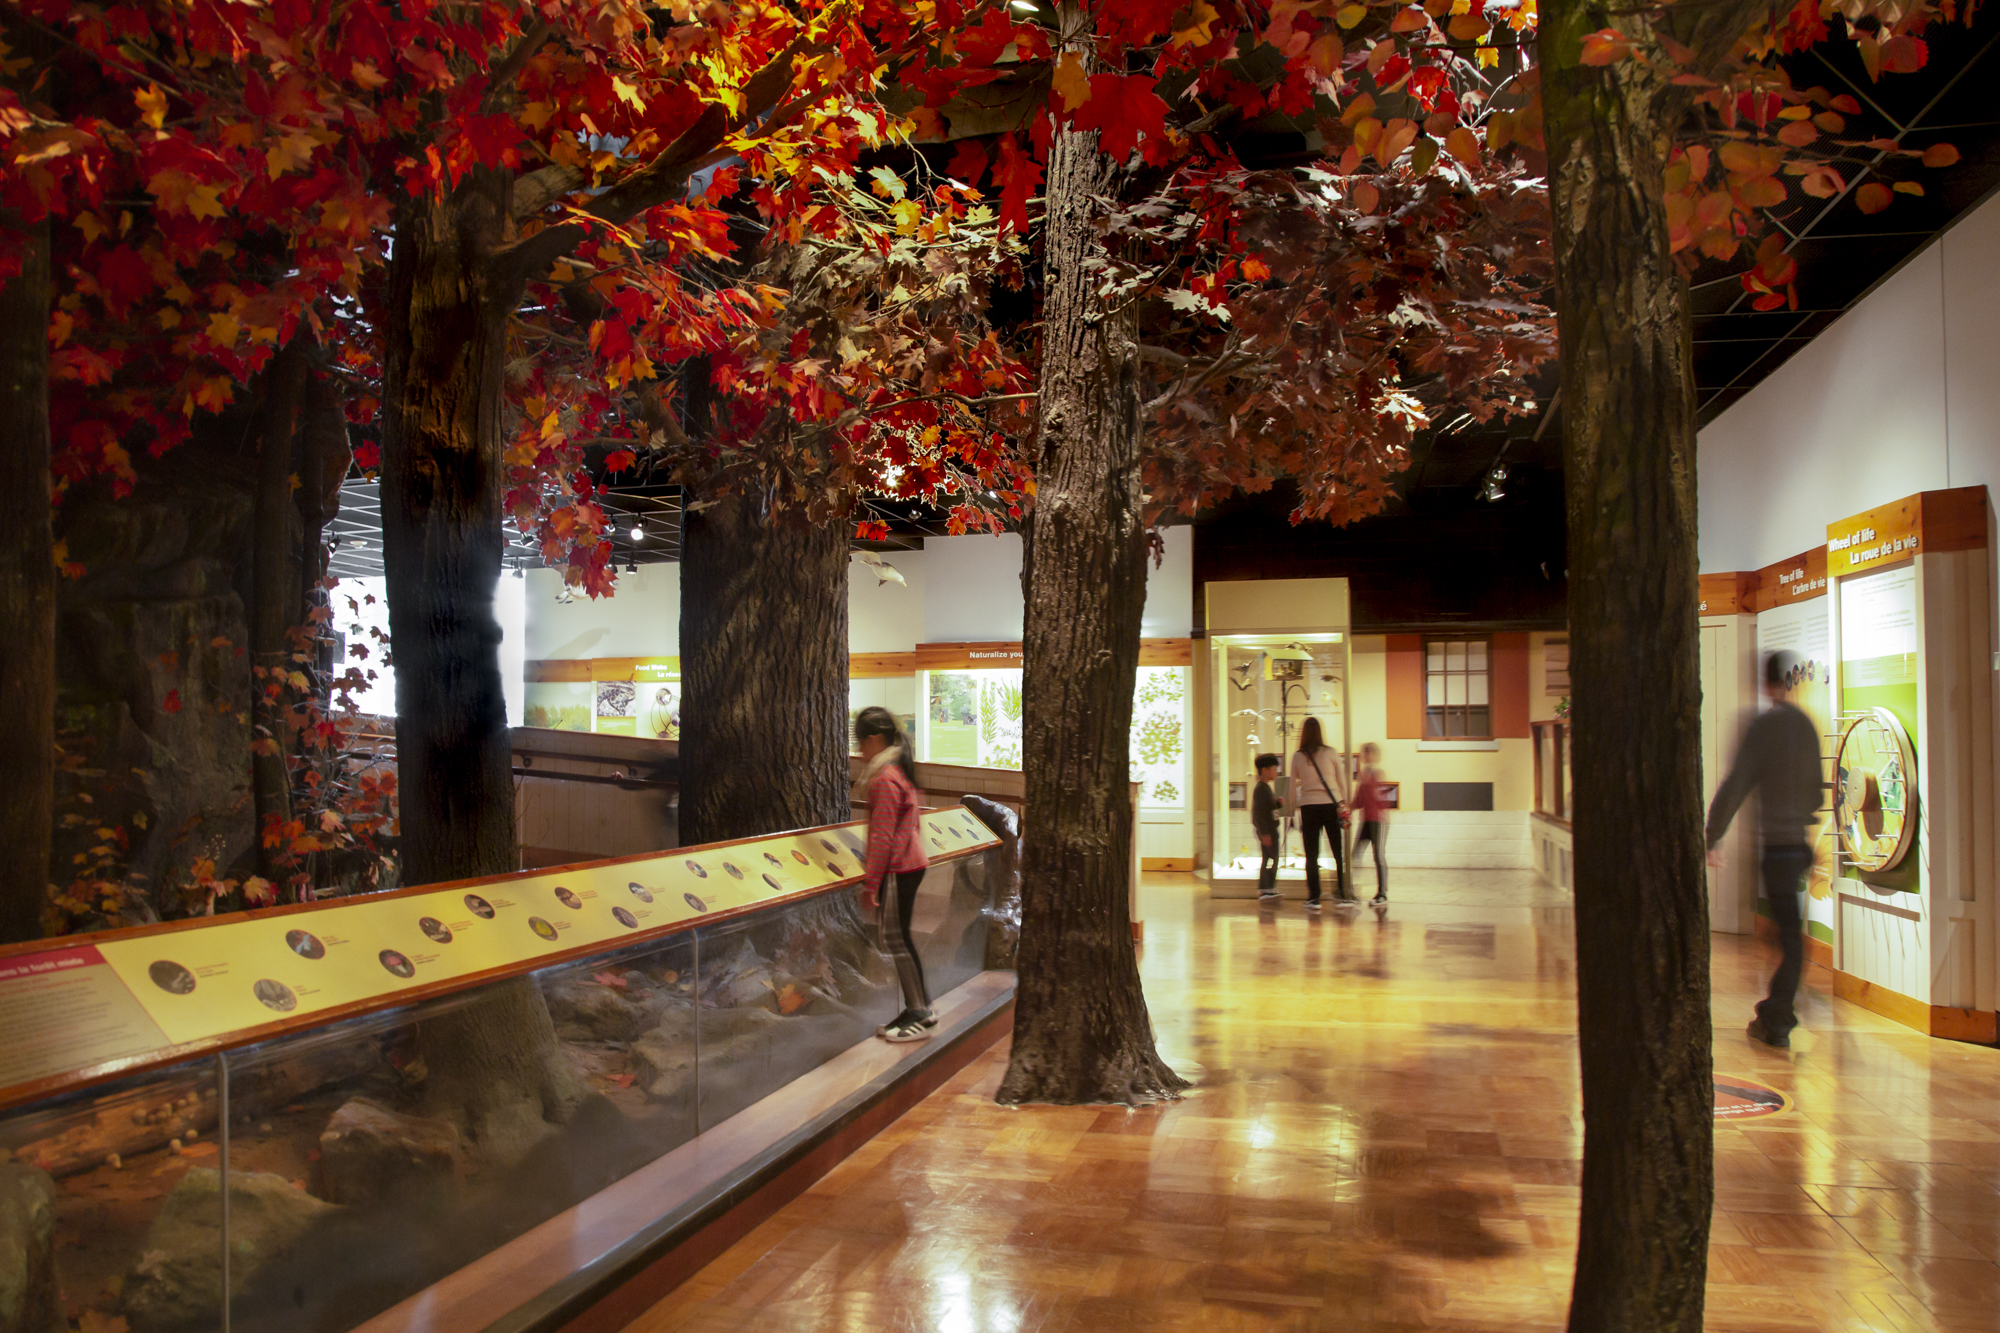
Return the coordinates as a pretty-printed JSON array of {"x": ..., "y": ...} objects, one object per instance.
[{"x": 1901, "y": 395}]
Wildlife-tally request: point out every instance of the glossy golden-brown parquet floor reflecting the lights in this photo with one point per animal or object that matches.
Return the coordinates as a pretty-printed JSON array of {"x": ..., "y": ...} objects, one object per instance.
[{"x": 1385, "y": 1136}]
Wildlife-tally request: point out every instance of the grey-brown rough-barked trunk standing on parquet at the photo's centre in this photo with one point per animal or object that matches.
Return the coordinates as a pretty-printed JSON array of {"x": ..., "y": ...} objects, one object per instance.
[{"x": 1081, "y": 1028}]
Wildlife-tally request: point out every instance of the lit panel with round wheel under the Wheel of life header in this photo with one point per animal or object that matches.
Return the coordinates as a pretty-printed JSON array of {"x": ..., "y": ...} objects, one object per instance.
[{"x": 1879, "y": 670}]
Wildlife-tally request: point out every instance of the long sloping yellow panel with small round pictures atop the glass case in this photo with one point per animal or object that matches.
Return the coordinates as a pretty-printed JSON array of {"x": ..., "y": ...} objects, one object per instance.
[{"x": 135, "y": 994}]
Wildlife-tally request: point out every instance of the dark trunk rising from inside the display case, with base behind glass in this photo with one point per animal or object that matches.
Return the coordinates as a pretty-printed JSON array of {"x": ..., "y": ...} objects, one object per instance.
[{"x": 495, "y": 1066}]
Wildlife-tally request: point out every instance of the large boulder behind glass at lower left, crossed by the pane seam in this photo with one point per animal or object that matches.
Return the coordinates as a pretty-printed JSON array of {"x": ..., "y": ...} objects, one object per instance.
[{"x": 177, "y": 1284}]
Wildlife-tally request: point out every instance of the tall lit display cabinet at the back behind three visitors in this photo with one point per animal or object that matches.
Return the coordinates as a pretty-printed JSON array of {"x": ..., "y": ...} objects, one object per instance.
[{"x": 1279, "y": 651}]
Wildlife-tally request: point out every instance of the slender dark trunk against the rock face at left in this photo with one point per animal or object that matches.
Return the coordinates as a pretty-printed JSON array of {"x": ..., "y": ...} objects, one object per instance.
[{"x": 275, "y": 609}]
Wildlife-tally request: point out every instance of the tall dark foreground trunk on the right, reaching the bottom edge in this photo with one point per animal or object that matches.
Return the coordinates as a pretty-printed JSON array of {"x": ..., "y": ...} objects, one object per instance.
[{"x": 1629, "y": 455}]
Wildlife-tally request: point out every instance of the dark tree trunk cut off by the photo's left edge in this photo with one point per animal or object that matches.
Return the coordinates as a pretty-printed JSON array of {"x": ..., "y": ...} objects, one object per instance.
[{"x": 27, "y": 597}]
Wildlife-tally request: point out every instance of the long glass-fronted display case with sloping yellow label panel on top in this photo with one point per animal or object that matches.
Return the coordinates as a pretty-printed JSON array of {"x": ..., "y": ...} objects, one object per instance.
[{"x": 295, "y": 1120}]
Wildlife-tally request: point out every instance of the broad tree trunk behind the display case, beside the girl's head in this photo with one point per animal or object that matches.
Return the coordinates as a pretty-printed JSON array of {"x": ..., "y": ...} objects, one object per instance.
[{"x": 763, "y": 672}]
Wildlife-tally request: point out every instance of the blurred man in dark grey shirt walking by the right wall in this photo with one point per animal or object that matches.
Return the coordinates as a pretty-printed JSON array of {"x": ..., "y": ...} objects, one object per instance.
[{"x": 1781, "y": 762}]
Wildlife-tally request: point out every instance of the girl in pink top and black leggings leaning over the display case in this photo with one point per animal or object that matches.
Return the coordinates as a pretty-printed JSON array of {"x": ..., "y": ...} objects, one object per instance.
[{"x": 895, "y": 864}]
